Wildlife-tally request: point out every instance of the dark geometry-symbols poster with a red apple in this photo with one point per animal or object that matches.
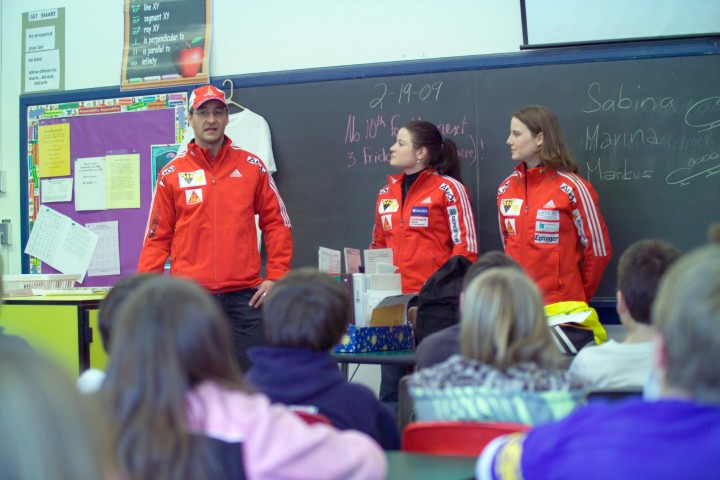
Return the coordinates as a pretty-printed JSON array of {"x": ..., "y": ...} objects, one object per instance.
[{"x": 167, "y": 42}]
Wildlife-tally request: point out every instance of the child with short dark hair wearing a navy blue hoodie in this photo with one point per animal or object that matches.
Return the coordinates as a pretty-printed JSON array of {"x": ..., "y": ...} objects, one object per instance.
[{"x": 305, "y": 317}]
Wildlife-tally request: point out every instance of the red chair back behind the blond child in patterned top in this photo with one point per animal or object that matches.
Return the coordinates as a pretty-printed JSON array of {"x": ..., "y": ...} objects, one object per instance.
[{"x": 454, "y": 437}]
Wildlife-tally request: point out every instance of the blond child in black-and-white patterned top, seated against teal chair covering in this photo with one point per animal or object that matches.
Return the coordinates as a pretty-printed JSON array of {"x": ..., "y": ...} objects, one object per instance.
[{"x": 508, "y": 370}]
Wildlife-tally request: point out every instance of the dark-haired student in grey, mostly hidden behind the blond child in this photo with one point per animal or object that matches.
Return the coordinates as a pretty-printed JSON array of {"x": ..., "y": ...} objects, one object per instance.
[{"x": 439, "y": 346}]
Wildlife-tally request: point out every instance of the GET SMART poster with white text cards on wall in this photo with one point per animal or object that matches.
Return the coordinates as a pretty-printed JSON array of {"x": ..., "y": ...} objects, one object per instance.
[{"x": 43, "y": 46}]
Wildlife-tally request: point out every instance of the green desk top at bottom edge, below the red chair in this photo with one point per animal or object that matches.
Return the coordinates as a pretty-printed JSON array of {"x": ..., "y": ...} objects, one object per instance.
[{"x": 417, "y": 466}]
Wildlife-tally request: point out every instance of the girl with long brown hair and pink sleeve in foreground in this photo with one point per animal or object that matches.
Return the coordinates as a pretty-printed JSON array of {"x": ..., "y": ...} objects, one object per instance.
[{"x": 178, "y": 407}]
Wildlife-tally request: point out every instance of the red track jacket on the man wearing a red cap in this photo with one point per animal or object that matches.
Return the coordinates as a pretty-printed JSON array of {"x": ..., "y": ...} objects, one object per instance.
[{"x": 203, "y": 216}]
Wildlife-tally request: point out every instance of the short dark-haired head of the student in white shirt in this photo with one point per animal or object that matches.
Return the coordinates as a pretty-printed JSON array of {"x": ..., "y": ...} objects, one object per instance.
[{"x": 640, "y": 269}]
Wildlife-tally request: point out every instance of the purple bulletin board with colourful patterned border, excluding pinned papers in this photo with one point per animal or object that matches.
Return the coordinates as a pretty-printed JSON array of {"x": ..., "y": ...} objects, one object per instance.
[{"x": 101, "y": 126}]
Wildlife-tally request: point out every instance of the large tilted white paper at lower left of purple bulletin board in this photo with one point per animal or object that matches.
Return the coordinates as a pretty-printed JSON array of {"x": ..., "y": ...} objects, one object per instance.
[{"x": 61, "y": 242}]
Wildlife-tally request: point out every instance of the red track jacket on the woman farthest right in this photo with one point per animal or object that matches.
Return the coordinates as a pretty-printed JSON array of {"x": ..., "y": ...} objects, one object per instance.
[{"x": 551, "y": 225}]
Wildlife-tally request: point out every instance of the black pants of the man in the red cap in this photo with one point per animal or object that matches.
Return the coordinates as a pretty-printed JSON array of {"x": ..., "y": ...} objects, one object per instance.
[{"x": 245, "y": 323}]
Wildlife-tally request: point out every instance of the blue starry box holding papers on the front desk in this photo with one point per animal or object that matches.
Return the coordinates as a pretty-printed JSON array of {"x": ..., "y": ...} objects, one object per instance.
[{"x": 373, "y": 339}]
